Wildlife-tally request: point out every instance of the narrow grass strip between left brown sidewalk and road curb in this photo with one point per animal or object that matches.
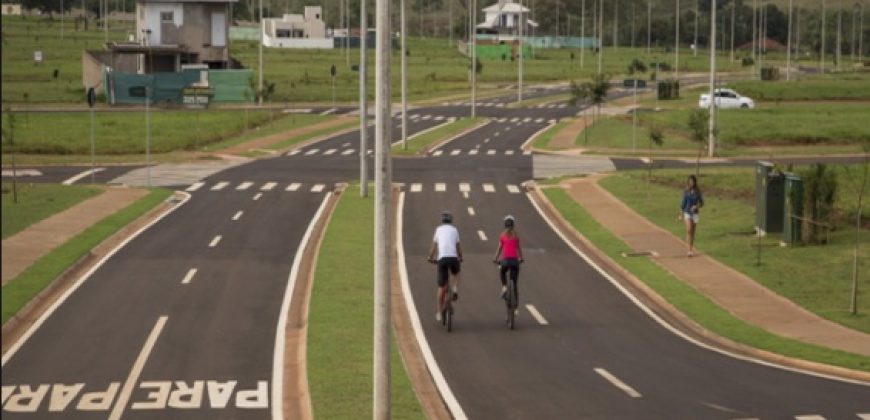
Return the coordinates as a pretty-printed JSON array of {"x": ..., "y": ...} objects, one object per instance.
[{"x": 24, "y": 287}]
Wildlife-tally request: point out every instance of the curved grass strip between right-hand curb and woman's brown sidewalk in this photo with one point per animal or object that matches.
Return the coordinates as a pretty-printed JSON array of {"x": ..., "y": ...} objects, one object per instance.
[{"x": 689, "y": 301}]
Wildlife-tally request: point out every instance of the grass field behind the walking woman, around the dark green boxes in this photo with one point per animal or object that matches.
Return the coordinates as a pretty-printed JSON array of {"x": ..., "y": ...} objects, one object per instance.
[{"x": 816, "y": 277}]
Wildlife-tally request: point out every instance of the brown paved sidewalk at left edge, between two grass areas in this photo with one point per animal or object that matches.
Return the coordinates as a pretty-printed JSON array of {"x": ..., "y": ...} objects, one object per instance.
[{"x": 24, "y": 248}]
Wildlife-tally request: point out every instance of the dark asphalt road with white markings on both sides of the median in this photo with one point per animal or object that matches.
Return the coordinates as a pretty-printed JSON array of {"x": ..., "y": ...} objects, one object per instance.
[{"x": 147, "y": 337}]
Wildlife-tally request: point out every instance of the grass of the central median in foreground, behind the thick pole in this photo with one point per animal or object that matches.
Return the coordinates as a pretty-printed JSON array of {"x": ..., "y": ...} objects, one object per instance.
[{"x": 340, "y": 321}]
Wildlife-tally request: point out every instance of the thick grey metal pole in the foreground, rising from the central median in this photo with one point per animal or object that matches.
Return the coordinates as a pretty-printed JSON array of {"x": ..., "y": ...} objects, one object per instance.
[{"x": 383, "y": 216}]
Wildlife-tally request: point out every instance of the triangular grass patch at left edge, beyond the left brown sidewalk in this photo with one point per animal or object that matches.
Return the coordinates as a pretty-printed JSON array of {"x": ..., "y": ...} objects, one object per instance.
[{"x": 39, "y": 201}]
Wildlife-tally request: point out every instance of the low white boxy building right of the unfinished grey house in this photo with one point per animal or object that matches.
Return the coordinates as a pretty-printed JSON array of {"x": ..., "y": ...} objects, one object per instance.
[{"x": 307, "y": 30}]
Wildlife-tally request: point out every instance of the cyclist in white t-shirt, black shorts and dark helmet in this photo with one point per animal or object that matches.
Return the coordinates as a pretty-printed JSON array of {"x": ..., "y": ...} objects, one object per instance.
[{"x": 449, "y": 258}]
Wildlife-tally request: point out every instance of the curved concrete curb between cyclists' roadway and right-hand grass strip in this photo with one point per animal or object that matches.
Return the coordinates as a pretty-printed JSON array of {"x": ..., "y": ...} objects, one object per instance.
[{"x": 675, "y": 317}]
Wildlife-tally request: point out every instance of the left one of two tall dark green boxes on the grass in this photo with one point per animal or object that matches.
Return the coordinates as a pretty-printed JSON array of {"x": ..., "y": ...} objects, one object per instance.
[{"x": 769, "y": 199}]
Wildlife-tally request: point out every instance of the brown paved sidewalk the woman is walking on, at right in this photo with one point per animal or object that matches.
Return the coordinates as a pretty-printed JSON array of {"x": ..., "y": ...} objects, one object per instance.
[{"x": 735, "y": 292}]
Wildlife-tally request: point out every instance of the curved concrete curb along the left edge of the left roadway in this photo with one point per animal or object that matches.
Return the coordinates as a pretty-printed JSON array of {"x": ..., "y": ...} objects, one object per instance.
[{"x": 15, "y": 328}]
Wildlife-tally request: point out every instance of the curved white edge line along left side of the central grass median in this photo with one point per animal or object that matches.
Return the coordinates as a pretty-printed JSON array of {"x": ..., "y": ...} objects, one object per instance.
[{"x": 280, "y": 329}]
